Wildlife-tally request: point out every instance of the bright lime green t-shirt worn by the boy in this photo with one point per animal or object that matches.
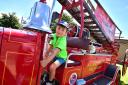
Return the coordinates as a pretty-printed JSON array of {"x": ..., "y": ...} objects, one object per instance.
[{"x": 61, "y": 43}]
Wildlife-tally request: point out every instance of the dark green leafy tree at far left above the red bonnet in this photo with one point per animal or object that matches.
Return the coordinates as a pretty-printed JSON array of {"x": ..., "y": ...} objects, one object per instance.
[{"x": 9, "y": 20}]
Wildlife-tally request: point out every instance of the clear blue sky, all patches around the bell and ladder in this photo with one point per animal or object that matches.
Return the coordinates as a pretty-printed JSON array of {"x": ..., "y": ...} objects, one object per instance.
[{"x": 117, "y": 10}]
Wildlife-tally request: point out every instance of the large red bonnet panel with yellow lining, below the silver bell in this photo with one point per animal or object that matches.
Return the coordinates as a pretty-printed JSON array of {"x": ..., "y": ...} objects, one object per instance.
[{"x": 19, "y": 56}]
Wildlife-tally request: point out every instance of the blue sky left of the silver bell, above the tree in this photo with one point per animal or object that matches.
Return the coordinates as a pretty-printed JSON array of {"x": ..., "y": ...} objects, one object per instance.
[{"x": 21, "y": 7}]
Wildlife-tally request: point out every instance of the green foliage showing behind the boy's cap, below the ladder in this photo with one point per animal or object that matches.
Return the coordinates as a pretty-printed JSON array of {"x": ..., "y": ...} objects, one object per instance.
[{"x": 65, "y": 17}]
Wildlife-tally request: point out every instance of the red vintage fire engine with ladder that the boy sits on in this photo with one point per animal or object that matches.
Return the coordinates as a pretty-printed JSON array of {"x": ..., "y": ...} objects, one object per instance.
[{"x": 21, "y": 51}]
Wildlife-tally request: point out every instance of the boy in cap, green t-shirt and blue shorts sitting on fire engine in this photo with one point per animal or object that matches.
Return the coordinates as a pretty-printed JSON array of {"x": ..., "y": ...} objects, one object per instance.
[{"x": 57, "y": 50}]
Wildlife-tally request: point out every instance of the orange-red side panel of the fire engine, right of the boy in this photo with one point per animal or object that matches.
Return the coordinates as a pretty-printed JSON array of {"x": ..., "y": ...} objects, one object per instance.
[{"x": 89, "y": 64}]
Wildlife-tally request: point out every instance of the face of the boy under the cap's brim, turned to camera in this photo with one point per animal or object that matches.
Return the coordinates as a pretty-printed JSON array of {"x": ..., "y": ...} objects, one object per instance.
[{"x": 60, "y": 31}]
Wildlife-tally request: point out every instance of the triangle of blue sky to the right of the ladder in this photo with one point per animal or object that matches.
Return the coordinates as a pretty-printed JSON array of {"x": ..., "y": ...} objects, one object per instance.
[{"x": 118, "y": 11}]
